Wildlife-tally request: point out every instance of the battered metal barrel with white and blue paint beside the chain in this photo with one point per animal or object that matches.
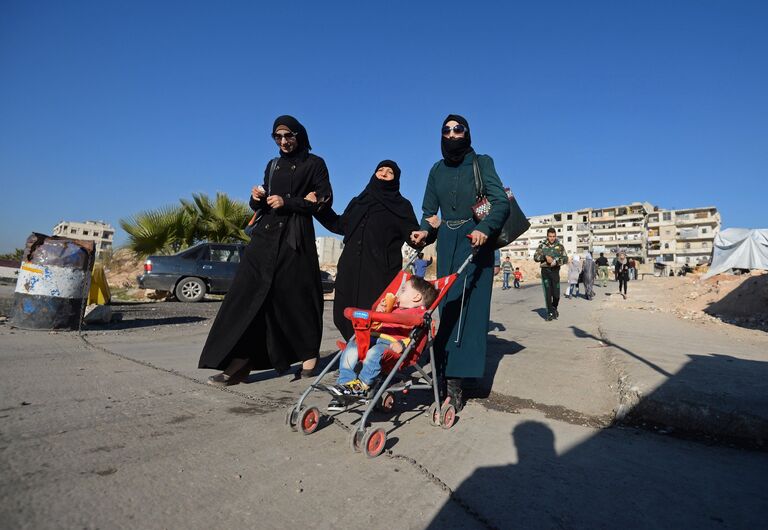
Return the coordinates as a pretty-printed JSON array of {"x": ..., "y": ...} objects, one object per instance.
[{"x": 54, "y": 277}]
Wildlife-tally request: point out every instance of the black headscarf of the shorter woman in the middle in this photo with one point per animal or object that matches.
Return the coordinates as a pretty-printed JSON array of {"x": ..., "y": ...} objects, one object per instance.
[{"x": 378, "y": 195}]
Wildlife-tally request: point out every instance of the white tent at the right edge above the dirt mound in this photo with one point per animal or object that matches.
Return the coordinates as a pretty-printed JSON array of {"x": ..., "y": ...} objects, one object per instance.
[{"x": 739, "y": 248}]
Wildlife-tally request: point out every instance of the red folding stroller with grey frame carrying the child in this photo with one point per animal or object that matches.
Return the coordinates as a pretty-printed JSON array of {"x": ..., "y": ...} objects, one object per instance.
[{"x": 382, "y": 394}]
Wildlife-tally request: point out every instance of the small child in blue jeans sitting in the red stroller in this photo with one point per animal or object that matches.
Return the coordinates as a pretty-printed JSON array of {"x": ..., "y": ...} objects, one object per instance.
[{"x": 415, "y": 296}]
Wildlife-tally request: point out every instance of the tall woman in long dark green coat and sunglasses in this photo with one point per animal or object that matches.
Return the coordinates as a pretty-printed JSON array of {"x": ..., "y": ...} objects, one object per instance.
[{"x": 460, "y": 344}]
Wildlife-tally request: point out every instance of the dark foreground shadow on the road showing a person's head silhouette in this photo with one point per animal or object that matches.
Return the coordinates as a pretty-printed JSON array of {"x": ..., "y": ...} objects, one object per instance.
[{"x": 596, "y": 484}]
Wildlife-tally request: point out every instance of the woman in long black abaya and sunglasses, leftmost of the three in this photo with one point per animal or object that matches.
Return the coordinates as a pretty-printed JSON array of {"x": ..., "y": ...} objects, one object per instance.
[{"x": 272, "y": 315}]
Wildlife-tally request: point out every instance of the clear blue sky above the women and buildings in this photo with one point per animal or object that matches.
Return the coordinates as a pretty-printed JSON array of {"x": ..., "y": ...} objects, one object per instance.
[{"x": 110, "y": 108}]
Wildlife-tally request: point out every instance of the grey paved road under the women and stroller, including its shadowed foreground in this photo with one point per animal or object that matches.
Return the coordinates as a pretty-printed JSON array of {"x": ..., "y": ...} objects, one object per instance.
[{"x": 117, "y": 430}]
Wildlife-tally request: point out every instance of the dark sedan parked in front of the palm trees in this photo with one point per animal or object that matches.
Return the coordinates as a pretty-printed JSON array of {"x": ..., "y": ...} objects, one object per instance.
[{"x": 204, "y": 268}]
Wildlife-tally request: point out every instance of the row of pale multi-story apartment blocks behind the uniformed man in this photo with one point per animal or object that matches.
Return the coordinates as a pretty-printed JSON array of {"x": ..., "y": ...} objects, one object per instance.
[{"x": 641, "y": 230}]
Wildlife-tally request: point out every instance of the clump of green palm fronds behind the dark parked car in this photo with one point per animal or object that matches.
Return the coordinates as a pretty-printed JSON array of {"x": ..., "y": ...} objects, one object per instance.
[{"x": 172, "y": 228}]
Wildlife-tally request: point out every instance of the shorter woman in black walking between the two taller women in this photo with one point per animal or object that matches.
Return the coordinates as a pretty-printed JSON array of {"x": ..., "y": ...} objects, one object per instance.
[{"x": 375, "y": 225}]
